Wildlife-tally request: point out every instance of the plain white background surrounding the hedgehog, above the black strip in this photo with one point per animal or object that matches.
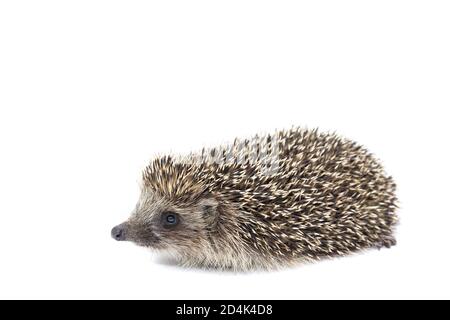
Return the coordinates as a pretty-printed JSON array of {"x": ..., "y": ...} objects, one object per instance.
[{"x": 91, "y": 90}]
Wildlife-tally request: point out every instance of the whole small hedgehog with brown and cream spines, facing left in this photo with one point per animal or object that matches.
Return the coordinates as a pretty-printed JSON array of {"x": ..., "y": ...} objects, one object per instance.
[{"x": 264, "y": 203}]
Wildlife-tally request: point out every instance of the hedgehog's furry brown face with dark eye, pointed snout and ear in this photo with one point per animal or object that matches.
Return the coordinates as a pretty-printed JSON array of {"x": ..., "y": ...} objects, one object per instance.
[{"x": 161, "y": 223}]
